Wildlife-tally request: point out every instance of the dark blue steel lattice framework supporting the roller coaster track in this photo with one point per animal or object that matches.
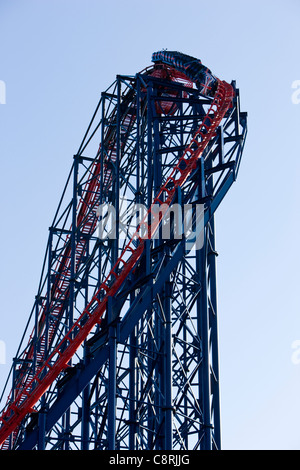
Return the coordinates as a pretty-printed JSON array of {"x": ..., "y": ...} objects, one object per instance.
[{"x": 148, "y": 376}]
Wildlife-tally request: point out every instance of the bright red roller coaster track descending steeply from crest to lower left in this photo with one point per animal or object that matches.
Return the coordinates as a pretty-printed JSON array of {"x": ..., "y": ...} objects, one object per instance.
[{"x": 33, "y": 387}]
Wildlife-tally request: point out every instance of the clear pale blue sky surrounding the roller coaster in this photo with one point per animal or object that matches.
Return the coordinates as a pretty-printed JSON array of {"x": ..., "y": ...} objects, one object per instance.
[{"x": 56, "y": 57}]
